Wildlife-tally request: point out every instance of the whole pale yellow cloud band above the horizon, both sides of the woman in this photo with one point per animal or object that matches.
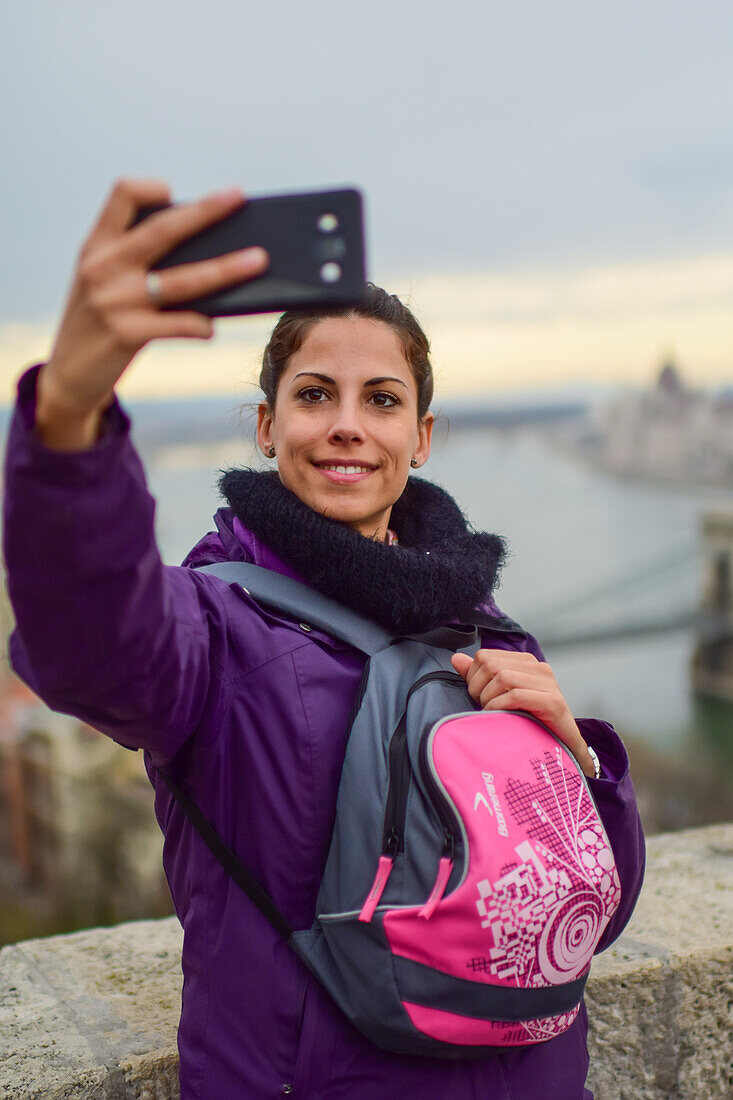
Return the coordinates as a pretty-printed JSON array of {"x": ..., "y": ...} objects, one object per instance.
[{"x": 490, "y": 332}]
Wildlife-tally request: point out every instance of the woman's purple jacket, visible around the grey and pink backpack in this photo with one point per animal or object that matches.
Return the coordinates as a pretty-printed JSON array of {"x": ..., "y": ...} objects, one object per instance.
[{"x": 248, "y": 712}]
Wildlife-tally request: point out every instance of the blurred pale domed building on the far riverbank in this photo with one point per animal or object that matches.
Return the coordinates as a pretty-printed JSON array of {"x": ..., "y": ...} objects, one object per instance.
[{"x": 670, "y": 433}]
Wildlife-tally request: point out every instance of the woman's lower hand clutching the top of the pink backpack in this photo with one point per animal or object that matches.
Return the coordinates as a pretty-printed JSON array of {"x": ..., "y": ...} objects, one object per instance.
[{"x": 504, "y": 680}]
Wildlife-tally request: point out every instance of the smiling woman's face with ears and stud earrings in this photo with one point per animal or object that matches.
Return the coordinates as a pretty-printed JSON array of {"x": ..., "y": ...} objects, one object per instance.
[{"x": 345, "y": 427}]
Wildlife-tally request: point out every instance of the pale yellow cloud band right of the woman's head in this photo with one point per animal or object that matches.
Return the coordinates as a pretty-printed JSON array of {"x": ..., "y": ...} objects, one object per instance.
[{"x": 606, "y": 324}]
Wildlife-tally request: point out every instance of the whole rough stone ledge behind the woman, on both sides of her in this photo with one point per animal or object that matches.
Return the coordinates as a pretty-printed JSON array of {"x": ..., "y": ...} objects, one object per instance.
[{"x": 94, "y": 1015}]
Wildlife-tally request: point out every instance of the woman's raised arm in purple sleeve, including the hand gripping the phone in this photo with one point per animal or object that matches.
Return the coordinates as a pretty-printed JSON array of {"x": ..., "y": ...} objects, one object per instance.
[{"x": 105, "y": 631}]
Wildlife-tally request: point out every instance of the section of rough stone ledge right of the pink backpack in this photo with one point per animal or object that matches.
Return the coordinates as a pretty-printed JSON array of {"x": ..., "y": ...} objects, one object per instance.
[{"x": 660, "y": 999}]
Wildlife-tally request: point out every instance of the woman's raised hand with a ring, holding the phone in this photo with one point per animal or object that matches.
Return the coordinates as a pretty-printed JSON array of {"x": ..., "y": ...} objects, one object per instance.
[{"x": 110, "y": 315}]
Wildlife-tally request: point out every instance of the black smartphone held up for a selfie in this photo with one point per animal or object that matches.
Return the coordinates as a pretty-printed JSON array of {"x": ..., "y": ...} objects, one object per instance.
[{"x": 316, "y": 247}]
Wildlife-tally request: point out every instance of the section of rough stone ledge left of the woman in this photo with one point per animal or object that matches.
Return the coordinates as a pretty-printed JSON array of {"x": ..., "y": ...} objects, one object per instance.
[{"x": 92, "y": 1015}]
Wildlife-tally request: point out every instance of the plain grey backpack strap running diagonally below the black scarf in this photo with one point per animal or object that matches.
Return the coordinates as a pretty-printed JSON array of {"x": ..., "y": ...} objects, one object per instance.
[{"x": 303, "y": 602}]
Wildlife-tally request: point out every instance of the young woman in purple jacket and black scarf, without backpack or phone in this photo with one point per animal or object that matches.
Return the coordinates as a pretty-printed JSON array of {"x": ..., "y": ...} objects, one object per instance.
[{"x": 247, "y": 710}]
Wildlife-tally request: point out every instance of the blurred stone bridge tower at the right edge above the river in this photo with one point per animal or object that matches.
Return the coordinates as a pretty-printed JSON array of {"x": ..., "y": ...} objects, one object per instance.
[{"x": 713, "y": 662}]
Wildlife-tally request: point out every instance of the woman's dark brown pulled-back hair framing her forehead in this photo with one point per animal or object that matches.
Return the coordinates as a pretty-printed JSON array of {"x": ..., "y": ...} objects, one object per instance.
[{"x": 293, "y": 327}]
